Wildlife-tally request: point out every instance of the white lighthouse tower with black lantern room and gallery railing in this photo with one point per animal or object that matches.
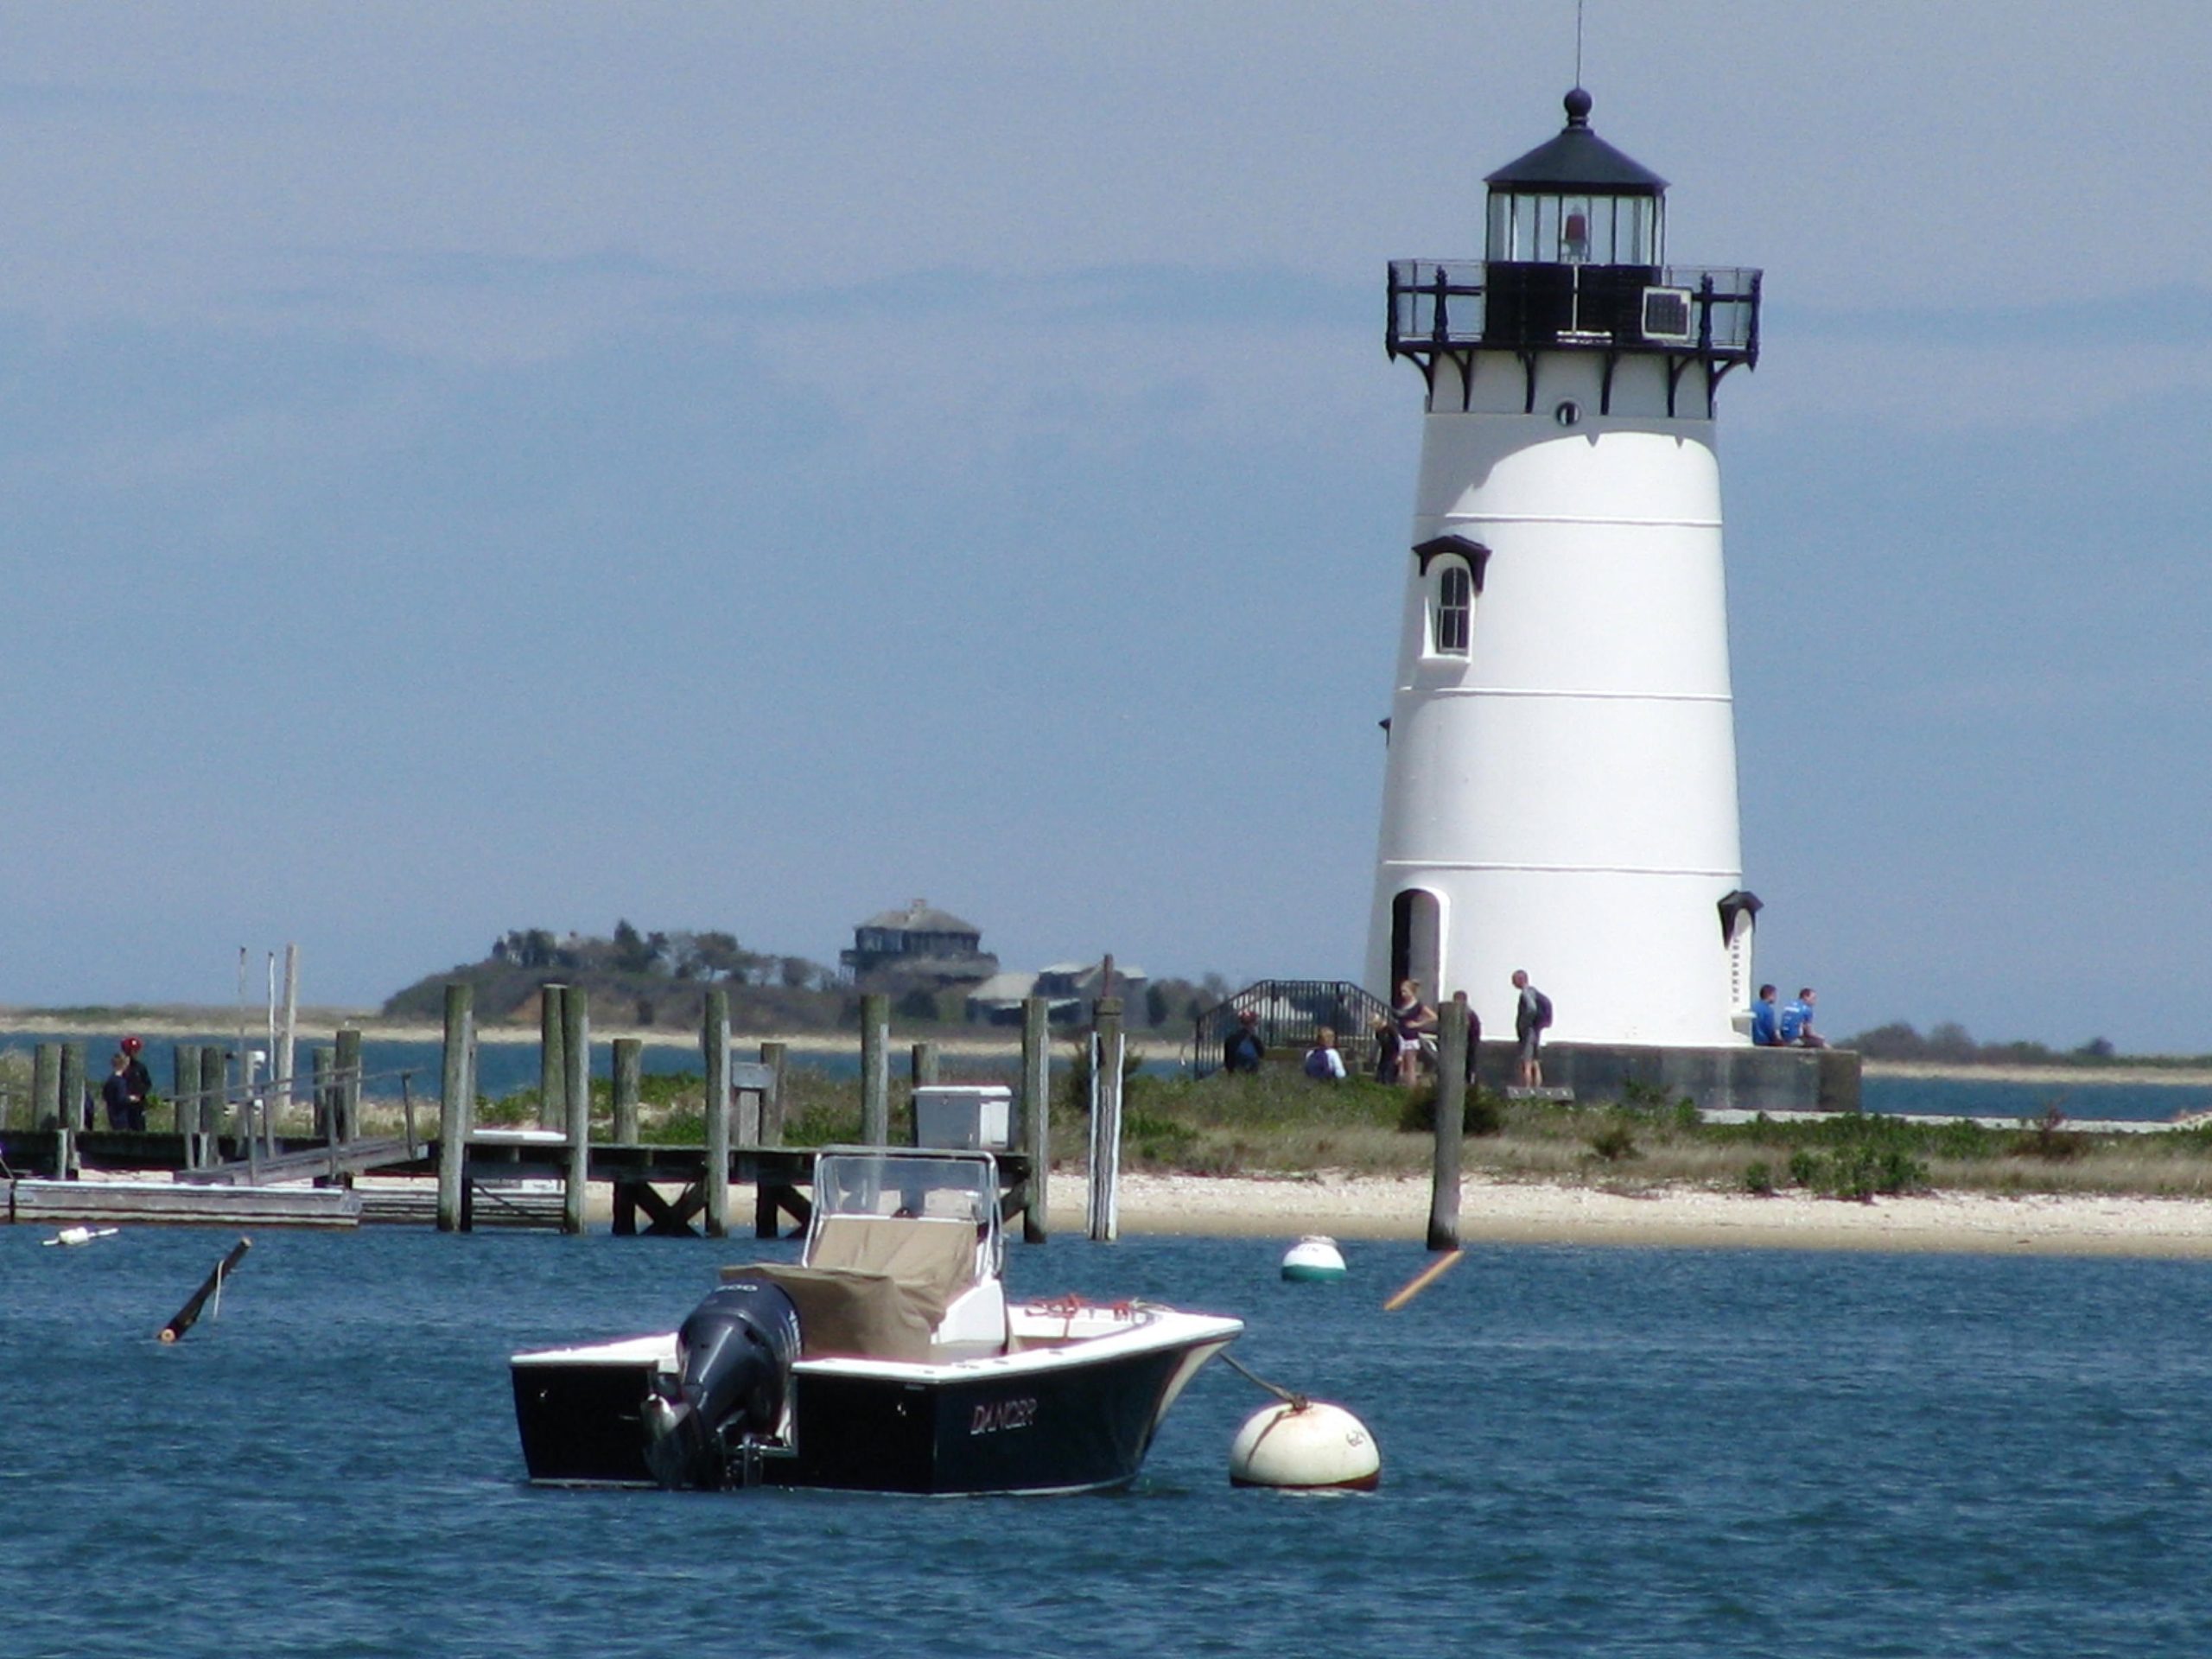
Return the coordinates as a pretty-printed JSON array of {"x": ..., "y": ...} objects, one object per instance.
[{"x": 1563, "y": 766}]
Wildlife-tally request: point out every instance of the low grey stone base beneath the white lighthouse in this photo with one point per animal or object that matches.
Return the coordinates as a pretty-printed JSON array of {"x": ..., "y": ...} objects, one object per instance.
[{"x": 1720, "y": 1081}]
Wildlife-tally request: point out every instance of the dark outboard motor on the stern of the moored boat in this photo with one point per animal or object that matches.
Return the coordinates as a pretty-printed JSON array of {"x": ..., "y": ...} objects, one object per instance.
[{"x": 735, "y": 1361}]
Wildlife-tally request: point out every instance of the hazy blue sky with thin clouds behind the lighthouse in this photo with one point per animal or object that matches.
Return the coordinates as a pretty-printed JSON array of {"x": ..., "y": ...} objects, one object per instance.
[{"x": 747, "y": 468}]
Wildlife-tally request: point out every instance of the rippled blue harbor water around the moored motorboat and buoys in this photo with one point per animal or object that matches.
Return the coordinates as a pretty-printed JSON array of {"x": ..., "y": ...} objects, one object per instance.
[{"x": 1629, "y": 1452}]
